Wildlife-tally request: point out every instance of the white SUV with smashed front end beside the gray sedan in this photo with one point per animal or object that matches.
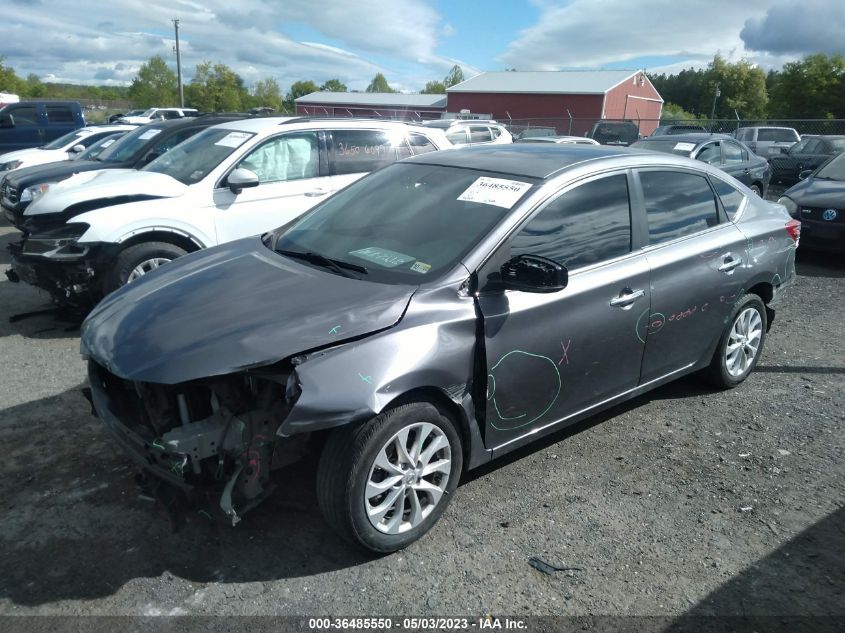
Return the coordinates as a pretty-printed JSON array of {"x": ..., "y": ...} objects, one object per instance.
[{"x": 237, "y": 179}]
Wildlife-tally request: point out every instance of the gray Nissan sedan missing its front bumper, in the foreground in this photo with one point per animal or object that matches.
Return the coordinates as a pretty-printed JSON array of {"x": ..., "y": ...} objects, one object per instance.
[{"x": 431, "y": 317}]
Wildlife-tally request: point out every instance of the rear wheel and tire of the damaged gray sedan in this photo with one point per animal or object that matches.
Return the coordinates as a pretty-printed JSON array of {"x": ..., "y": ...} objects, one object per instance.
[{"x": 728, "y": 369}]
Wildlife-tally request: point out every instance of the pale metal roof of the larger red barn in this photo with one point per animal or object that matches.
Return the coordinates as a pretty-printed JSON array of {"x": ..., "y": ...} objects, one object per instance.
[{"x": 545, "y": 81}]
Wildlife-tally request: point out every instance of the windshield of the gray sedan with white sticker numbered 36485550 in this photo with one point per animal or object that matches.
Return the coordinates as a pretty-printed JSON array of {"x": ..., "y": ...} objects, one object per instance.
[{"x": 407, "y": 223}]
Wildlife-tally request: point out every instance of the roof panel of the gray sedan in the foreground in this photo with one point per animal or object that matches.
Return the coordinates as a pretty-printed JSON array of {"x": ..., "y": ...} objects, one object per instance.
[{"x": 532, "y": 160}]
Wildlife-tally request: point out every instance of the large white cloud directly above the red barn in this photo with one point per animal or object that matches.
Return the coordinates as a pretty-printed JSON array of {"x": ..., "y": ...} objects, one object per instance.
[{"x": 585, "y": 33}]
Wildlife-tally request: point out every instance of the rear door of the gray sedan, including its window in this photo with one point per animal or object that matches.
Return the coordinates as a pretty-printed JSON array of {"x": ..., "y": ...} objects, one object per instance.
[{"x": 697, "y": 259}]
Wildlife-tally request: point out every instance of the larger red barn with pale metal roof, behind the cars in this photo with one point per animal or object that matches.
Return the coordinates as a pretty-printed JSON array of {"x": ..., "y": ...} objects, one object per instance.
[{"x": 584, "y": 96}]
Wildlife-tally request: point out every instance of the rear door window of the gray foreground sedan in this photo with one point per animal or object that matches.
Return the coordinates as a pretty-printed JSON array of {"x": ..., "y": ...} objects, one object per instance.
[{"x": 677, "y": 204}]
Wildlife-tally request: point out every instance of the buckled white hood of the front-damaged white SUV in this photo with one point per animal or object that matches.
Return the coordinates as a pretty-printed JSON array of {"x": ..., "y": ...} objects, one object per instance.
[{"x": 104, "y": 184}]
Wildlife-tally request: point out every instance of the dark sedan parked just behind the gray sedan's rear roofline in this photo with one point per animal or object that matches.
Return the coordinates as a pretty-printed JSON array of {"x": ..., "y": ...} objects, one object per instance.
[{"x": 720, "y": 151}]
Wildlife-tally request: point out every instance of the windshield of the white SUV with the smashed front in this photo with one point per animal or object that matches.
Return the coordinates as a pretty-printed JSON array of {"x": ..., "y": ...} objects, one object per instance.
[{"x": 192, "y": 160}]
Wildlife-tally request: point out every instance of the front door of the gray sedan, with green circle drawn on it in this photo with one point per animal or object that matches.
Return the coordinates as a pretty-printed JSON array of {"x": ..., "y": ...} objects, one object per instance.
[{"x": 550, "y": 356}]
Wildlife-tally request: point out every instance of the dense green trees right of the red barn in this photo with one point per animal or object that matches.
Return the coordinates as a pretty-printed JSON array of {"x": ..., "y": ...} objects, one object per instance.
[{"x": 810, "y": 88}]
